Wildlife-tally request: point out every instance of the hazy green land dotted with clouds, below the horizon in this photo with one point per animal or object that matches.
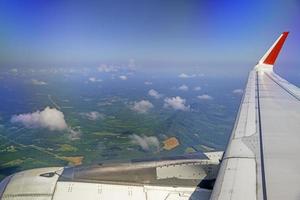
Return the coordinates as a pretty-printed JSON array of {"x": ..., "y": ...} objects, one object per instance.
[{"x": 102, "y": 116}]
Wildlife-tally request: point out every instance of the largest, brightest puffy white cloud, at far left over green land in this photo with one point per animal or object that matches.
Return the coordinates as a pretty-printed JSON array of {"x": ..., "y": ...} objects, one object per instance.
[{"x": 49, "y": 118}]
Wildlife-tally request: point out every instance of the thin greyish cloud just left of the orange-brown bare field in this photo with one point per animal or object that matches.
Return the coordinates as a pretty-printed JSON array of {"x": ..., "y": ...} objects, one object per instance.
[{"x": 147, "y": 143}]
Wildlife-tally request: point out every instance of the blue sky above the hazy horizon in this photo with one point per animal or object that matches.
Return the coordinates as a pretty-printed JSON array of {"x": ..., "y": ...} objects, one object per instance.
[{"x": 165, "y": 32}]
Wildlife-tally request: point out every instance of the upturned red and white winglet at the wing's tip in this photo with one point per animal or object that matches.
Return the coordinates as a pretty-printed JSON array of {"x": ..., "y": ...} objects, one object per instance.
[{"x": 270, "y": 57}]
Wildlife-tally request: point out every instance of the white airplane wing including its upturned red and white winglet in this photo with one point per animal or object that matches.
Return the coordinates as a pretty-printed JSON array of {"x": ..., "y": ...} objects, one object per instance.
[{"x": 262, "y": 157}]
